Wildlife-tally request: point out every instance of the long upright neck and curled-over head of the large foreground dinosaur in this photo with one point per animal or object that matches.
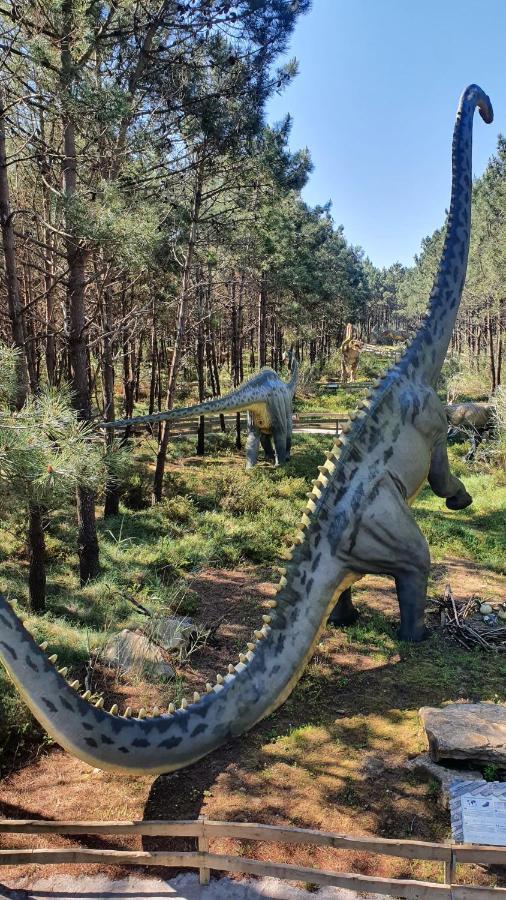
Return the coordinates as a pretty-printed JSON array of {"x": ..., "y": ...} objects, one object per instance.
[{"x": 428, "y": 350}]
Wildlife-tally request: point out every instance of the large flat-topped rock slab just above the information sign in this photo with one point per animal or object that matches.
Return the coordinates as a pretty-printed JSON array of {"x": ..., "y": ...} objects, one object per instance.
[{"x": 468, "y": 731}]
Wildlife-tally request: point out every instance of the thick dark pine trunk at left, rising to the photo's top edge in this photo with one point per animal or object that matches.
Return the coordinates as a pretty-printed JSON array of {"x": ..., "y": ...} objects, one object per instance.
[{"x": 76, "y": 261}]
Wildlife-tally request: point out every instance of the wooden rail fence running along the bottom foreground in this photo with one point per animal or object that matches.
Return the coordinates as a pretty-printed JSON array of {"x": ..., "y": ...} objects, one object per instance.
[{"x": 448, "y": 854}]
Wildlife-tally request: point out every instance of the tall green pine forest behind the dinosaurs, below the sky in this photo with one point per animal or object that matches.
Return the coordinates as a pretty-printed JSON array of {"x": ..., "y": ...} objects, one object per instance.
[{"x": 156, "y": 245}]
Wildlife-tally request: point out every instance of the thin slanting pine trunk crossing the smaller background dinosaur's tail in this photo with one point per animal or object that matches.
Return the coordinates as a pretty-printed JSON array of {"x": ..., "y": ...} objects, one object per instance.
[{"x": 180, "y": 330}]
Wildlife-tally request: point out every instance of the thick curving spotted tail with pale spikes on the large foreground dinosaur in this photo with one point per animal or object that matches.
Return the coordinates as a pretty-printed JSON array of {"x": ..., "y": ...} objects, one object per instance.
[{"x": 252, "y": 688}]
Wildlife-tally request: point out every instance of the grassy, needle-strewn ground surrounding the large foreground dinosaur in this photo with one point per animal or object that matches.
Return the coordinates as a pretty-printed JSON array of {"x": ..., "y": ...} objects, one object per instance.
[{"x": 210, "y": 549}]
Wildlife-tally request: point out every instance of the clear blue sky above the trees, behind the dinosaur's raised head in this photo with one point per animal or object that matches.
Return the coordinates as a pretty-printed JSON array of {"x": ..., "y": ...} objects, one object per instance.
[{"x": 375, "y": 100}]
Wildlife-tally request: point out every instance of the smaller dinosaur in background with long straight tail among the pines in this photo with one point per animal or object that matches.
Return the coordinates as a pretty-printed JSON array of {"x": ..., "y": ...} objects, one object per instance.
[{"x": 269, "y": 403}]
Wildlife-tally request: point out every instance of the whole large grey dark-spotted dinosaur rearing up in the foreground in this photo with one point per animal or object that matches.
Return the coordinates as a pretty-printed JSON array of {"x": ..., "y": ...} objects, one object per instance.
[{"x": 358, "y": 521}]
